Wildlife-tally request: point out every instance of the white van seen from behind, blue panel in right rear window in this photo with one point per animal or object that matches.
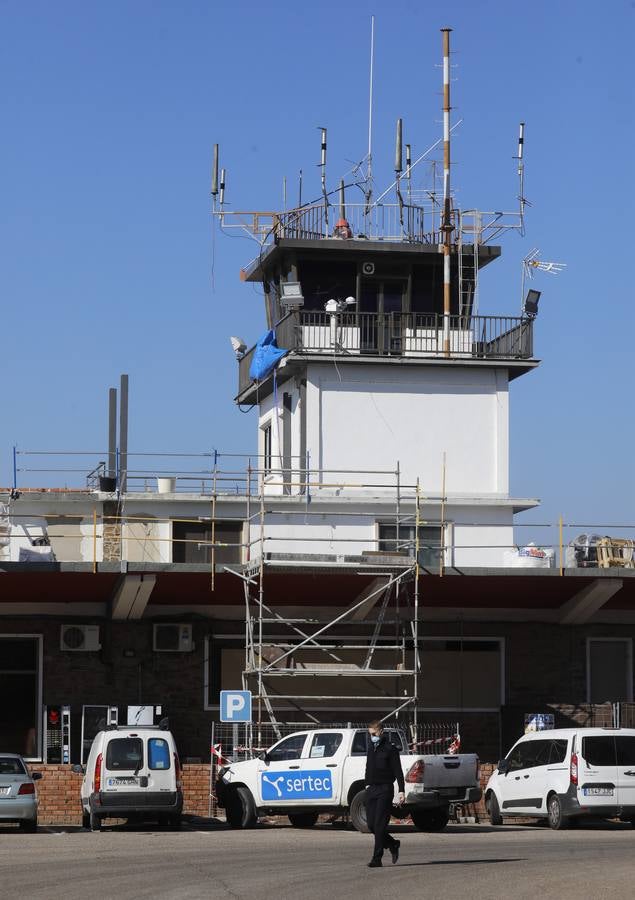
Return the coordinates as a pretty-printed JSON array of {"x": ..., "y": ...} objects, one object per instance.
[{"x": 132, "y": 773}]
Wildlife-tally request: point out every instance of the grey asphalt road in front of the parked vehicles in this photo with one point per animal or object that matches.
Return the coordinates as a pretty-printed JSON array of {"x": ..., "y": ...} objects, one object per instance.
[{"x": 282, "y": 863}]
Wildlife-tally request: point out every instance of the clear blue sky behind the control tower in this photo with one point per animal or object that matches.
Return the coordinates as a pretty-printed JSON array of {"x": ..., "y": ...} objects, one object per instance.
[{"x": 109, "y": 114}]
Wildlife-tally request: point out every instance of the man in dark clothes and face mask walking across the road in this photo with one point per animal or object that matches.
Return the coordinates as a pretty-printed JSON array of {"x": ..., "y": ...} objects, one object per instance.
[{"x": 383, "y": 766}]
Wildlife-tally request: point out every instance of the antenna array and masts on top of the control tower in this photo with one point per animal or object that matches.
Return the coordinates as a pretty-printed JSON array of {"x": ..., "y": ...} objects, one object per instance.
[{"x": 420, "y": 216}]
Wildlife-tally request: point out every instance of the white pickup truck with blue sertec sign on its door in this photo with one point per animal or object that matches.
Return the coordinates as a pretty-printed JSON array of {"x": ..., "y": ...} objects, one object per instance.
[{"x": 322, "y": 771}]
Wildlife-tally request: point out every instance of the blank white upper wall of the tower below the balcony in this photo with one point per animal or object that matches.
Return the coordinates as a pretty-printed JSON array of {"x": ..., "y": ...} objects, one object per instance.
[{"x": 377, "y": 415}]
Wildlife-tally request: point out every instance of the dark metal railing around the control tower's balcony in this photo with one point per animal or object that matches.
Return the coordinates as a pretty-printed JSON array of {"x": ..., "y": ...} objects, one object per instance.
[{"x": 415, "y": 335}]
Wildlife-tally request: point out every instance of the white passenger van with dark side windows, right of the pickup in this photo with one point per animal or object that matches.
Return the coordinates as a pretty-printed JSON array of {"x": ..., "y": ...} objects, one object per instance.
[{"x": 565, "y": 774}]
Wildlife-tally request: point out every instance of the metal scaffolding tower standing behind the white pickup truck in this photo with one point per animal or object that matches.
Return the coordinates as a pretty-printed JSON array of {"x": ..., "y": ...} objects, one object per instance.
[{"x": 368, "y": 642}]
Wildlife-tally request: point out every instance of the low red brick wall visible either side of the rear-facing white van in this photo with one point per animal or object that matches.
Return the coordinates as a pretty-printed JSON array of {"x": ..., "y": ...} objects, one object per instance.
[{"x": 58, "y": 792}]
